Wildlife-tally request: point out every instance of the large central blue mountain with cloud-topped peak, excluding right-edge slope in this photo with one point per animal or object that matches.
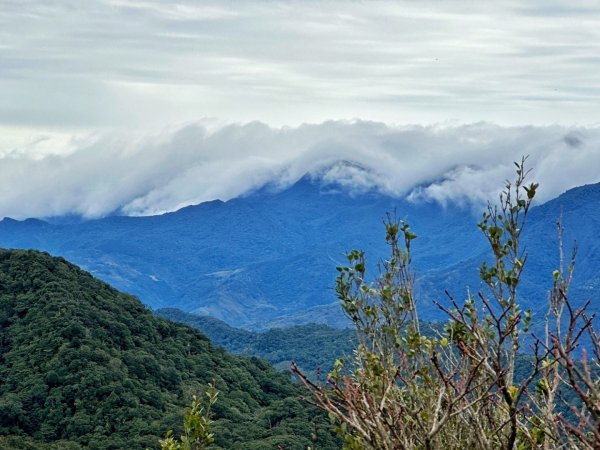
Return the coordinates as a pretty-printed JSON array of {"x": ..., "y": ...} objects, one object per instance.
[{"x": 250, "y": 260}]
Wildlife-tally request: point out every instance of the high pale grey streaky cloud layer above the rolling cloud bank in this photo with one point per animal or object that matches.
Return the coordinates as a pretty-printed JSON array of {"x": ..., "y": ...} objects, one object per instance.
[{"x": 138, "y": 62}]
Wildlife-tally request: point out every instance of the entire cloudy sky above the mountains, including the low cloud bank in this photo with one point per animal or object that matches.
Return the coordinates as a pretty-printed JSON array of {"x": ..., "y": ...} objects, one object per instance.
[{"x": 144, "y": 106}]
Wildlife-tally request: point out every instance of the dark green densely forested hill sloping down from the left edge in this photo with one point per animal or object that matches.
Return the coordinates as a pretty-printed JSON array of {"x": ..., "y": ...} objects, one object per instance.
[{"x": 84, "y": 366}]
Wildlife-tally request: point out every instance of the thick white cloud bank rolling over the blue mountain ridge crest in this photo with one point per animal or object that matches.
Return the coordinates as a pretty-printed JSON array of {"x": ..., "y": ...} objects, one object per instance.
[{"x": 138, "y": 173}]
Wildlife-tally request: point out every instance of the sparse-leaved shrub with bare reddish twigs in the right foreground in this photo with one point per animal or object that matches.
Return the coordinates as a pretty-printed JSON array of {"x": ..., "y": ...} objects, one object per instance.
[{"x": 407, "y": 390}]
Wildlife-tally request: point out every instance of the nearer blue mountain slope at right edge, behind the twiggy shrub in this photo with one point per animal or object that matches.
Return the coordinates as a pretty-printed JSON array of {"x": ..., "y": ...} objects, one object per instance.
[{"x": 579, "y": 212}]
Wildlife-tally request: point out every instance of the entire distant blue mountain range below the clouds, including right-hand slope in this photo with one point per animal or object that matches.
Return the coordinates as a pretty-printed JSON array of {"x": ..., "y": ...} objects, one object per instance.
[{"x": 269, "y": 258}]
